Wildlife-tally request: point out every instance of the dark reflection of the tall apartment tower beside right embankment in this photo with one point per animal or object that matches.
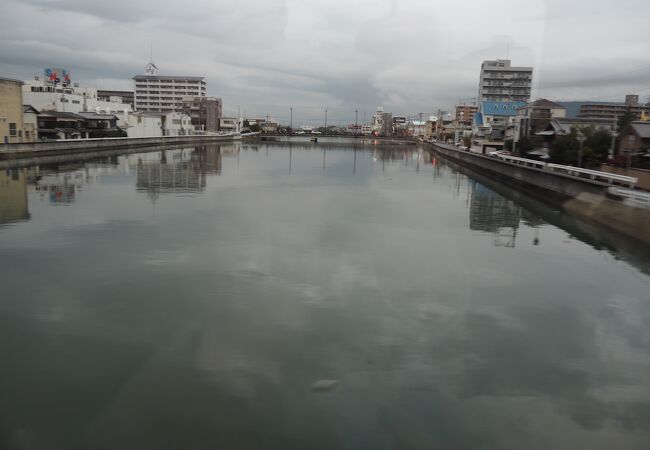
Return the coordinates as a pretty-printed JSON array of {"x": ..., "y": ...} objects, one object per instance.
[{"x": 492, "y": 213}]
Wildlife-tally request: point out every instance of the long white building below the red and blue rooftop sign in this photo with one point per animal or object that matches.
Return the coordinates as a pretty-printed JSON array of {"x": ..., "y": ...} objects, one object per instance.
[{"x": 44, "y": 95}]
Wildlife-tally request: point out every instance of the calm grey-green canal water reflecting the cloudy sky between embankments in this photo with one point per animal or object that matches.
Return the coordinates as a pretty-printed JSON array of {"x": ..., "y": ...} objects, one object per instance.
[{"x": 310, "y": 297}]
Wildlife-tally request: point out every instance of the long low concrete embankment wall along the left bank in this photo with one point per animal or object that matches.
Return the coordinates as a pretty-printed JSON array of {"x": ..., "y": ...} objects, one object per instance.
[{"x": 27, "y": 150}]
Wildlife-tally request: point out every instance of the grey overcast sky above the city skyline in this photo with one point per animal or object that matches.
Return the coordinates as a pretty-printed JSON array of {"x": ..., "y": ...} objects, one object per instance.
[{"x": 409, "y": 56}]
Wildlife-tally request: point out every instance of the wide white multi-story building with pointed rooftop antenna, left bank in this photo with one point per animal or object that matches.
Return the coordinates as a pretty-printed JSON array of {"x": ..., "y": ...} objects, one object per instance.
[{"x": 158, "y": 93}]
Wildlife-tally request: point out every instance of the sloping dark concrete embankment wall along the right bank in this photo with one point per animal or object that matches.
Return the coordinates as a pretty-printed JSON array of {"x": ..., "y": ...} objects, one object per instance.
[{"x": 585, "y": 199}]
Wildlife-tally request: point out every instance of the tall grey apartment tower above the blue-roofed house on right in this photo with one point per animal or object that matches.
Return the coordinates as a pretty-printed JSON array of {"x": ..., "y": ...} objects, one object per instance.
[{"x": 502, "y": 82}]
